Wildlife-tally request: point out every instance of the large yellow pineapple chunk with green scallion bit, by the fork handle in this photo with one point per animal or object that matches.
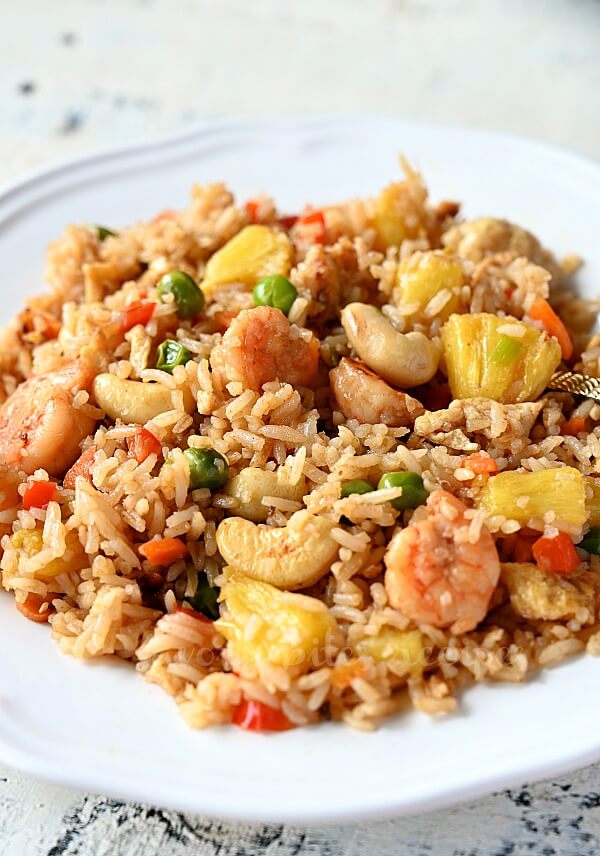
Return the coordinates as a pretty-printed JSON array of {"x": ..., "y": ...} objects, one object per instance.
[{"x": 480, "y": 364}]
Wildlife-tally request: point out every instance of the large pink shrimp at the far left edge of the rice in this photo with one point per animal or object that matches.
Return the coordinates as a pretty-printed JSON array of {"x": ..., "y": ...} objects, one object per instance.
[{"x": 39, "y": 425}]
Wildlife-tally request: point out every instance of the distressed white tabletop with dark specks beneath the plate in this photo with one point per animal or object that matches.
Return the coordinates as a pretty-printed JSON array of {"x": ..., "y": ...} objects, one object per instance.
[{"x": 76, "y": 75}]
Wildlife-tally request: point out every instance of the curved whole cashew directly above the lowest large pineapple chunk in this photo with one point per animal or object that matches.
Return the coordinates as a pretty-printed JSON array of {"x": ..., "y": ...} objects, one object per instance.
[{"x": 289, "y": 557}]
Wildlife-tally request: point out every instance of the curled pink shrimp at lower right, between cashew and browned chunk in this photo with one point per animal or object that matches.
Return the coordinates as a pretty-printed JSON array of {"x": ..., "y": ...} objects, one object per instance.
[{"x": 440, "y": 573}]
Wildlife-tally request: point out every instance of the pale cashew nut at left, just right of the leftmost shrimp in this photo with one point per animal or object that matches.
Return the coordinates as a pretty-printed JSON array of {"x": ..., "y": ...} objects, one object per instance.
[{"x": 134, "y": 401}]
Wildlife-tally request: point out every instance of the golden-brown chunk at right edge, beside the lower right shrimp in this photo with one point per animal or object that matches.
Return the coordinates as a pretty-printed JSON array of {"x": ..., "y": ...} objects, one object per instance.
[{"x": 540, "y": 596}]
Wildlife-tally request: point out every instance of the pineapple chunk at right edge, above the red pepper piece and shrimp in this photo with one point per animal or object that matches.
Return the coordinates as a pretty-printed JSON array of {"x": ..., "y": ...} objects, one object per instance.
[{"x": 529, "y": 496}]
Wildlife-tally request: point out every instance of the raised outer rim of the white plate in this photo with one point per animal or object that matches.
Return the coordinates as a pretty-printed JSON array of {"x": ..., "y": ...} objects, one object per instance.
[{"x": 15, "y": 197}]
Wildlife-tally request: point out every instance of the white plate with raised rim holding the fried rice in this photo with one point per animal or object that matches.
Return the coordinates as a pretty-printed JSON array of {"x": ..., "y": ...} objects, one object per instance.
[{"x": 99, "y": 725}]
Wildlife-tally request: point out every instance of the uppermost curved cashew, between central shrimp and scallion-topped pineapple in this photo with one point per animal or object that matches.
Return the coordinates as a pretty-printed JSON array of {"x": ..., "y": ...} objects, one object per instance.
[{"x": 403, "y": 359}]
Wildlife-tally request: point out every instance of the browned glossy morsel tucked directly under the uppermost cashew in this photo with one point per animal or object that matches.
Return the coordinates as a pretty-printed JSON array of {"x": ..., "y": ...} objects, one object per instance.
[{"x": 362, "y": 395}]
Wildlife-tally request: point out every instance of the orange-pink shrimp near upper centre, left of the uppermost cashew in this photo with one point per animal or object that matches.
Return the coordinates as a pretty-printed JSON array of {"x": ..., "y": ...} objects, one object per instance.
[{"x": 261, "y": 345}]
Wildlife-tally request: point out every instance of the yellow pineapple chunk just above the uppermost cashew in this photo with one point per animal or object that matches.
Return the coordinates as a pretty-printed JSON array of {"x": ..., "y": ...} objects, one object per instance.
[{"x": 423, "y": 275}]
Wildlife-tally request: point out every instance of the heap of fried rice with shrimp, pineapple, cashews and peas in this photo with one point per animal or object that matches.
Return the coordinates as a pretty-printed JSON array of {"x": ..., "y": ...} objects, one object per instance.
[{"x": 283, "y": 595}]
